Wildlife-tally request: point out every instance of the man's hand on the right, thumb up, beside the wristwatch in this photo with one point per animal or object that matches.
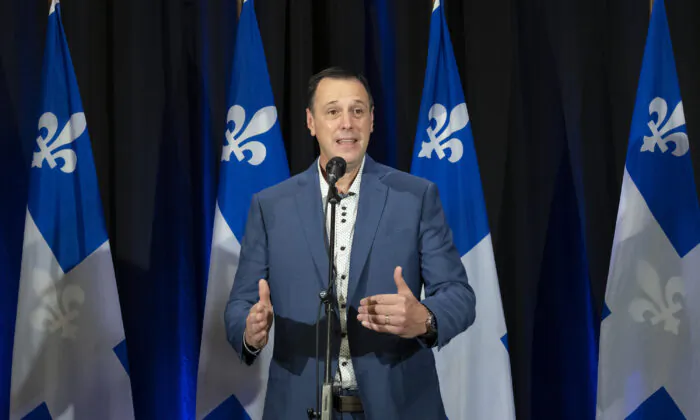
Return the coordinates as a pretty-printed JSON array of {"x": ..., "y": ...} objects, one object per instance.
[{"x": 400, "y": 314}]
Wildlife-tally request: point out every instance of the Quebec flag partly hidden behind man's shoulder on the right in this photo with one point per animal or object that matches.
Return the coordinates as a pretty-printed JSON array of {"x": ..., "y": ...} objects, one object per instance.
[{"x": 474, "y": 368}]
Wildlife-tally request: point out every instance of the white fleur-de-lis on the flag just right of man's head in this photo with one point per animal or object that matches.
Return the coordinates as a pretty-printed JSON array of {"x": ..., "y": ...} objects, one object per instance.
[{"x": 459, "y": 118}]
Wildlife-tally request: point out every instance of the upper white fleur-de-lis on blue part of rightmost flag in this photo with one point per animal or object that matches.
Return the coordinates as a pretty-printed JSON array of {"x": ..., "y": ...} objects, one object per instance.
[{"x": 661, "y": 126}]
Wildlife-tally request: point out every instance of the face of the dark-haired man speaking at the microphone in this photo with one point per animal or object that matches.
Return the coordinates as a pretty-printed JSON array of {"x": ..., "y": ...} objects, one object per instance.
[{"x": 341, "y": 120}]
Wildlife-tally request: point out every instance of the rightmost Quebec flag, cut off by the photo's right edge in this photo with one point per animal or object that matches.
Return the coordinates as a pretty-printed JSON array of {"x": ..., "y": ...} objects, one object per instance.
[{"x": 649, "y": 340}]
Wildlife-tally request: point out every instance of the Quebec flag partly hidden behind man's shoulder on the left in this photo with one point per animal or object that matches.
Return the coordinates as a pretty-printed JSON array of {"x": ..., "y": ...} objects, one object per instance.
[{"x": 253, "y": 158}]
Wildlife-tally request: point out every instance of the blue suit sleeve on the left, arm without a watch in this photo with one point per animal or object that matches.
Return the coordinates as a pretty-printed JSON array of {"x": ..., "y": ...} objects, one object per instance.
[{"x": 252, "y": 266}]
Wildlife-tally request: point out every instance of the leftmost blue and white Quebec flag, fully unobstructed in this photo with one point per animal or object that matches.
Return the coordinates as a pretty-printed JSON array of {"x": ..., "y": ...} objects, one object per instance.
[{"x": 69, "y": 359}]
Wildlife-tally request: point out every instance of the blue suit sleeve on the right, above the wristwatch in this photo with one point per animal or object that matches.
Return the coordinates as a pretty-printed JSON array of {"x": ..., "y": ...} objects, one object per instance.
[{"x": 448, "y": 294}]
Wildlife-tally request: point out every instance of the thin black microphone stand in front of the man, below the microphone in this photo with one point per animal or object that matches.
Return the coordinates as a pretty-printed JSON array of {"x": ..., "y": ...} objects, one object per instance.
[{"x": 327, "y": 297}]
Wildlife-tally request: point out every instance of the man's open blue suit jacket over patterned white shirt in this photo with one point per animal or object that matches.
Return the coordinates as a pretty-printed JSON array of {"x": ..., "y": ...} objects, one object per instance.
[{"x": 400, "y": 222}]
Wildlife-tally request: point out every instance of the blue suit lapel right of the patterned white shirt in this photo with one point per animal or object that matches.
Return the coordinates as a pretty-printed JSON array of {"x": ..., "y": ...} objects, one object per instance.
[{"x": 373, "y": 194}]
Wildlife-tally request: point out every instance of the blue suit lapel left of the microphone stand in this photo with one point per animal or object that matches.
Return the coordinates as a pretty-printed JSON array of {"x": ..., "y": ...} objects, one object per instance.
[{"x": 310, "y": 211}]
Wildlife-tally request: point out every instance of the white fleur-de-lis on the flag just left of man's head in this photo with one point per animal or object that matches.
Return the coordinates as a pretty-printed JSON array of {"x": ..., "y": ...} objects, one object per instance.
[{"x": 262, "y": 122}]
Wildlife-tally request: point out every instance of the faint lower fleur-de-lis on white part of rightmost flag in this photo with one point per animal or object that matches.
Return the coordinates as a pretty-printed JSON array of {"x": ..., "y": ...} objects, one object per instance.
[{"x": 661, "y": 305}]
